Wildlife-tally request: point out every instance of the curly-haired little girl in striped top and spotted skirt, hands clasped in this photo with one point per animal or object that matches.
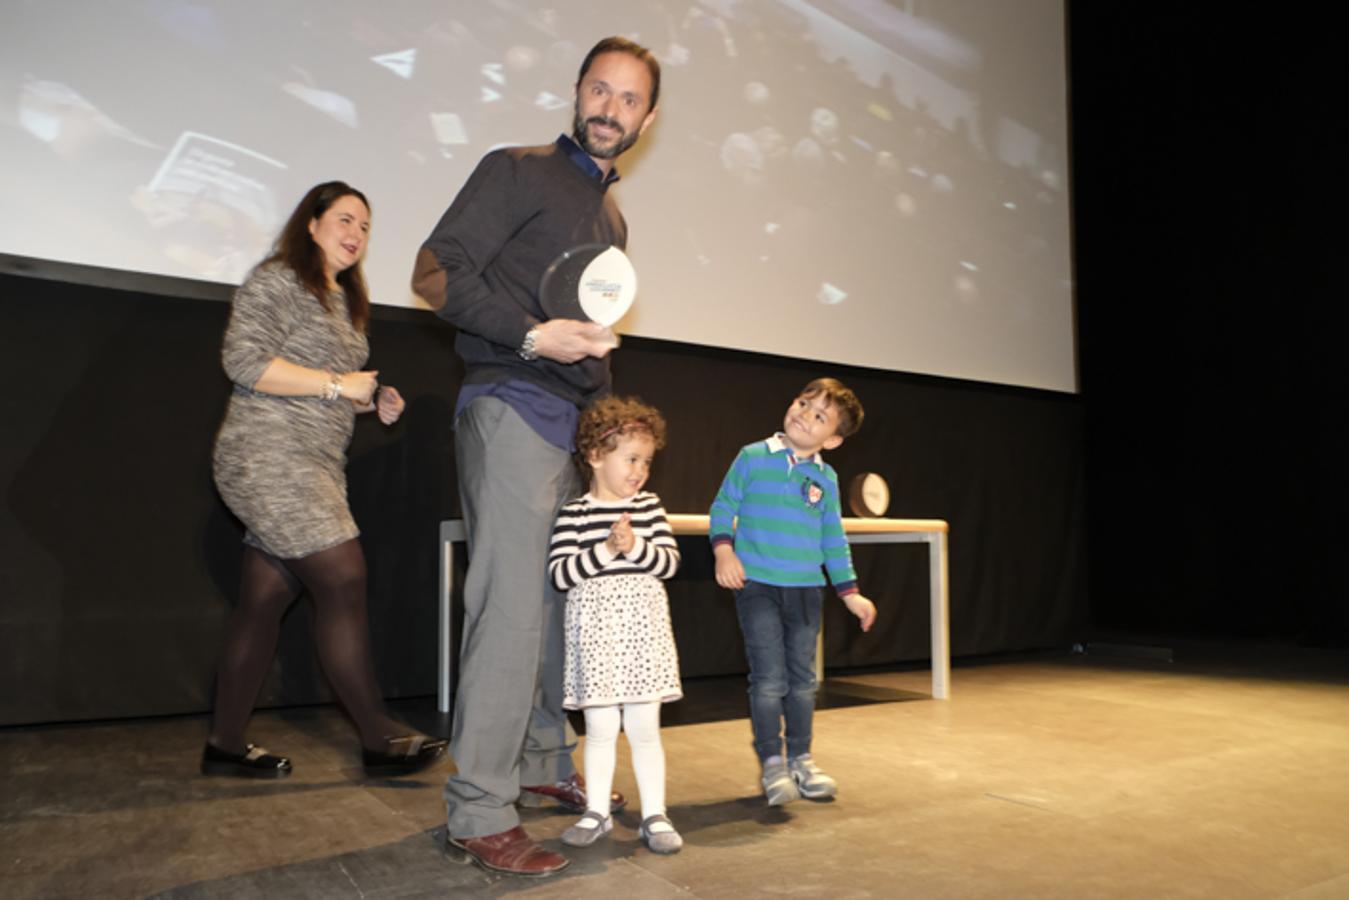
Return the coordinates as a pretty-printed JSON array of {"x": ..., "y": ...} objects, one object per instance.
[{"x": 610, "y": 549}]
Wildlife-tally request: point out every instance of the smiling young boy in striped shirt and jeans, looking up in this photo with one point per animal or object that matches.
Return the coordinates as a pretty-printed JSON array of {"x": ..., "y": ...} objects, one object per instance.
[{"x": 775, "y": 523}]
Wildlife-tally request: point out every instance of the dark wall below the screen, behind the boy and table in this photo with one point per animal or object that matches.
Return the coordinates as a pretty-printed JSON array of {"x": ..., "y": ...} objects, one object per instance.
[{"x": 1004, "y": 468}]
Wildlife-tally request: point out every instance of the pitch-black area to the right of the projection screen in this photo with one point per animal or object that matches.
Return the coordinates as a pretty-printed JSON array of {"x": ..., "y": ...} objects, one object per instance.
[{"x": 1213, "y": 373}]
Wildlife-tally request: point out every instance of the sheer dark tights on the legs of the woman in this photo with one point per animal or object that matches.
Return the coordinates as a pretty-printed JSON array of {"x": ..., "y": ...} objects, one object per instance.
[{"x": 335, "y": 580}]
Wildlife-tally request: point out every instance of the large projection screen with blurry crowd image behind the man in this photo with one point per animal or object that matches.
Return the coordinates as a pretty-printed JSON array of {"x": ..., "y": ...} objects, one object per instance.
[{"x": 879, "y": 184}]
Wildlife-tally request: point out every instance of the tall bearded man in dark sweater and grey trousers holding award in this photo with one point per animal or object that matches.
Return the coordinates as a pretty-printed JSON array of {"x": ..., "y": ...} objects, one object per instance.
[{"x": 531, "y": 366}]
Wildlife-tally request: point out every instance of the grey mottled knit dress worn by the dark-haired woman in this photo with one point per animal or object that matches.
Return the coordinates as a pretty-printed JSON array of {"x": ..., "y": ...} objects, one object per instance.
[{"x": 281, "y": 462}]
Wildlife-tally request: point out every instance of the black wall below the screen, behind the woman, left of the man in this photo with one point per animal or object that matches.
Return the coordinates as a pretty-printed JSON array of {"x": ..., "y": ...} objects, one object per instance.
[{"x": 121, "y": 563}]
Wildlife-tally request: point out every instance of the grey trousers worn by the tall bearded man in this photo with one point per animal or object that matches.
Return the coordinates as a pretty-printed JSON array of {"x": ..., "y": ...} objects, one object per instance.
[{"x": 509, "y": 723}]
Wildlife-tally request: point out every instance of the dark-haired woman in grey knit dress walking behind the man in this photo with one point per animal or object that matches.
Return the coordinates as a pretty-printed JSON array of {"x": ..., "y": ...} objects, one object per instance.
[{"x": 295, "y": 350}]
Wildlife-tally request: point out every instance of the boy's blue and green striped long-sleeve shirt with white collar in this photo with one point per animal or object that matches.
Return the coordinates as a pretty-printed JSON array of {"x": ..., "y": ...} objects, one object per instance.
[{"x": 784, "y": 517}]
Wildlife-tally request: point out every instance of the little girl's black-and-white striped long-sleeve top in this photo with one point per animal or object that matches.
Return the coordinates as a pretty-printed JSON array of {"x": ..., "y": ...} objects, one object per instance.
[{"x": 578, "y": 550}]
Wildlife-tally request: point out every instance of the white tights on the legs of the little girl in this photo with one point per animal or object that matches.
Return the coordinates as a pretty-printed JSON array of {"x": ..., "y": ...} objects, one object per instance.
[{"x": 643, "y": 724}]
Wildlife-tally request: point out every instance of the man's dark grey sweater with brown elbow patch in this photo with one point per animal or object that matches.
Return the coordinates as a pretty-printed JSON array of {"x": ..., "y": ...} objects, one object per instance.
[{"x": 520, "y": 210}]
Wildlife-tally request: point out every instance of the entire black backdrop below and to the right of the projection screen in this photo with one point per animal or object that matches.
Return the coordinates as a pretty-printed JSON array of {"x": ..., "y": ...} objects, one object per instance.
[{"x": 1208, "y": 445}]
